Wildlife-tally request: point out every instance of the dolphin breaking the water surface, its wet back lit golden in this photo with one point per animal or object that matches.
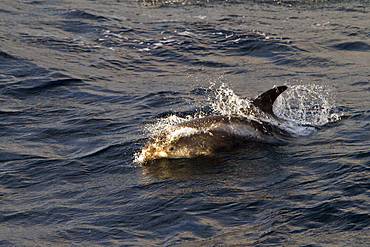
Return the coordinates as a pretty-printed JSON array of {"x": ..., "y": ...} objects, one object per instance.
[{"x": 213, "y": 134}]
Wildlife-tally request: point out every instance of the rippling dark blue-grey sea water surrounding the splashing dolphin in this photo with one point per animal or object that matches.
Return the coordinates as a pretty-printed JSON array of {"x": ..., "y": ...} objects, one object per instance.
[{"x": 80, "y": 79}]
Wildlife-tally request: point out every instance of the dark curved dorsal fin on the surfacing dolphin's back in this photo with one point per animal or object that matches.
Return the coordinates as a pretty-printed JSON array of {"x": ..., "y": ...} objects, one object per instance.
[{"x": 266, "y": 100}]
